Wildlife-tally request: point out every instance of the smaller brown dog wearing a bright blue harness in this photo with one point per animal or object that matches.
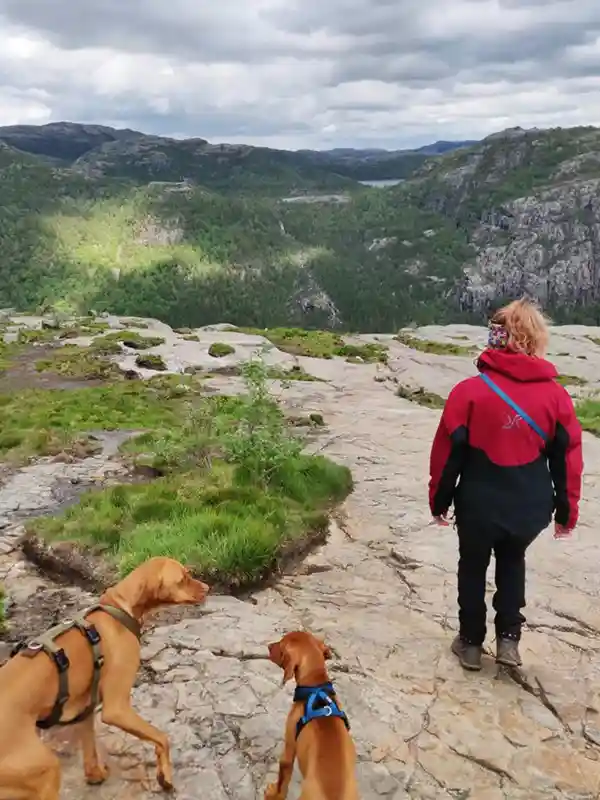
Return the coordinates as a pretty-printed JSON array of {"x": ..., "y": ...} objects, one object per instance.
[{"x": 316, "y": 729}]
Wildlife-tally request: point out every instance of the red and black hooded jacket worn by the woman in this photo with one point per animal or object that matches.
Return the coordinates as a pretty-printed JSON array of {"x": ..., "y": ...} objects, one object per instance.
[{"x": 491, "y": 464}]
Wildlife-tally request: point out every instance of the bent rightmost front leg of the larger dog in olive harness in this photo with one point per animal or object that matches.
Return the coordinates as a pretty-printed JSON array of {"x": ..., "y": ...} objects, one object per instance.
[{"x": 117, "y": 683}]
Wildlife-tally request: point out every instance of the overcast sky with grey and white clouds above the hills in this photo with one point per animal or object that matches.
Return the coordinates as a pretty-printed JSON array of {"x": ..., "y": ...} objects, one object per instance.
[{"x": 302, "y": 73}]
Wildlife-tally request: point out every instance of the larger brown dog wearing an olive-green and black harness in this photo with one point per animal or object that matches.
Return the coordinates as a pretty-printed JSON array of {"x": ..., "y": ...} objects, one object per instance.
[{"x": 102, "y": 655}]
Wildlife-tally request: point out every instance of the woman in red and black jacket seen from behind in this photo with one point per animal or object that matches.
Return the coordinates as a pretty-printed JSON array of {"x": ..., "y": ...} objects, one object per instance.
[{"x": 507, "y": 453}]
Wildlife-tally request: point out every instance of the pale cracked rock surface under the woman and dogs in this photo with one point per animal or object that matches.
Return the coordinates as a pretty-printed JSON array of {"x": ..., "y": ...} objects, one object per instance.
[{"x": 382, "y": 592}]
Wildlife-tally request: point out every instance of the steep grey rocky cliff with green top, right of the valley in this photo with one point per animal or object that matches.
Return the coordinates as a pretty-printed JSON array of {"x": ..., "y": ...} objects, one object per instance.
[{"x": 529, "y": 204}]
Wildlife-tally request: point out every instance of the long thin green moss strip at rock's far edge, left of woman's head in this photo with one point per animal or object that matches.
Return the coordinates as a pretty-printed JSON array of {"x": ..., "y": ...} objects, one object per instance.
[{"x": 319, "y": 344}]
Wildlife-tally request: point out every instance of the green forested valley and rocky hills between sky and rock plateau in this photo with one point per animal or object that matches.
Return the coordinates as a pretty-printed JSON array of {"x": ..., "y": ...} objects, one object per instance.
[{"x": 93, "y": 219}]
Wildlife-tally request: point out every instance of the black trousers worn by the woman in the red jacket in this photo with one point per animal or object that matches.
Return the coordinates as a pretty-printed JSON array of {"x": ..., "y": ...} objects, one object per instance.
[{"x": 476, "y": 544}]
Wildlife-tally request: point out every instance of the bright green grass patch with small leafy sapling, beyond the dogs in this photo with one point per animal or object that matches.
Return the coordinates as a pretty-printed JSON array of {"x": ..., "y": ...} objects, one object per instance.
[{"x": 234, "y": 489}]
